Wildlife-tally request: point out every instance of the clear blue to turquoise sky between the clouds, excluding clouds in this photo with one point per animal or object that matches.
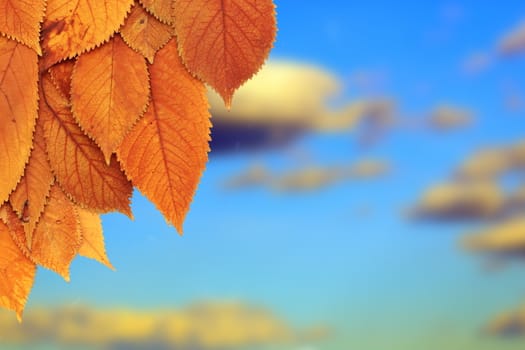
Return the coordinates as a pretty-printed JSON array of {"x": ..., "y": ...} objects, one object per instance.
[{"x": 345, "y": 256}]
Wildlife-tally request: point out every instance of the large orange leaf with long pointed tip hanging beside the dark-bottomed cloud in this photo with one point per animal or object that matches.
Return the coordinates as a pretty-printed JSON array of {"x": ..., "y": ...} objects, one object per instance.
[{"x": 166, "y": 152}]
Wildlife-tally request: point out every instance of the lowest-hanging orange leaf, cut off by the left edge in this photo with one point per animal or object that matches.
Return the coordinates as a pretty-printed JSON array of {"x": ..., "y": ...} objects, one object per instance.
[{"x": 17, "y": 273}]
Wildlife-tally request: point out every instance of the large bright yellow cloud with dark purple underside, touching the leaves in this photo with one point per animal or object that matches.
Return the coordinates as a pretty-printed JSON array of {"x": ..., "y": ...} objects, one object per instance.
[{"x": 284, "y": 100}]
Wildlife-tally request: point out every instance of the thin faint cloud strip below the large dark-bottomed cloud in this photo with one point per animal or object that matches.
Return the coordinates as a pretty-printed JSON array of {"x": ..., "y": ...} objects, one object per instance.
[{"x": 308, "y": 178}]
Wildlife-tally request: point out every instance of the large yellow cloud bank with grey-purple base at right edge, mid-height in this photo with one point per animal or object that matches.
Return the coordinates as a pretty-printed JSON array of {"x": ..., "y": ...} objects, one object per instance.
[{"x": 478, "y": 190}]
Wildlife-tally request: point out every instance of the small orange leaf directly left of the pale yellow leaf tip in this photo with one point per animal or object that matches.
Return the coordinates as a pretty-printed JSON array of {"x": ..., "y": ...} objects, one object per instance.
[{"x": 57, "y": 236}]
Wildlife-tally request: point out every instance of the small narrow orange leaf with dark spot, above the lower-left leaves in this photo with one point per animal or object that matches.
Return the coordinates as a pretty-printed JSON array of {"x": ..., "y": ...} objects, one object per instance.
[{"x": 30, "y": 196}]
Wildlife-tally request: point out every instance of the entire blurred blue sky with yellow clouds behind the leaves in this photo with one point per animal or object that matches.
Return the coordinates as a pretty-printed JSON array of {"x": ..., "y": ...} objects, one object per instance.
[{"x": 365, "y": 191}]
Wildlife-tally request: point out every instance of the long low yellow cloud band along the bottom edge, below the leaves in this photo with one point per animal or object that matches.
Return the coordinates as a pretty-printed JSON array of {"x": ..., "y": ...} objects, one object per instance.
[{"x": 201, "y": 326}]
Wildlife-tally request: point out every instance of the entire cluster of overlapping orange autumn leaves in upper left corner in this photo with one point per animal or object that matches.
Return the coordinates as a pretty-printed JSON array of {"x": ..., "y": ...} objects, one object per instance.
[{"x": 98, "y": 97}]
